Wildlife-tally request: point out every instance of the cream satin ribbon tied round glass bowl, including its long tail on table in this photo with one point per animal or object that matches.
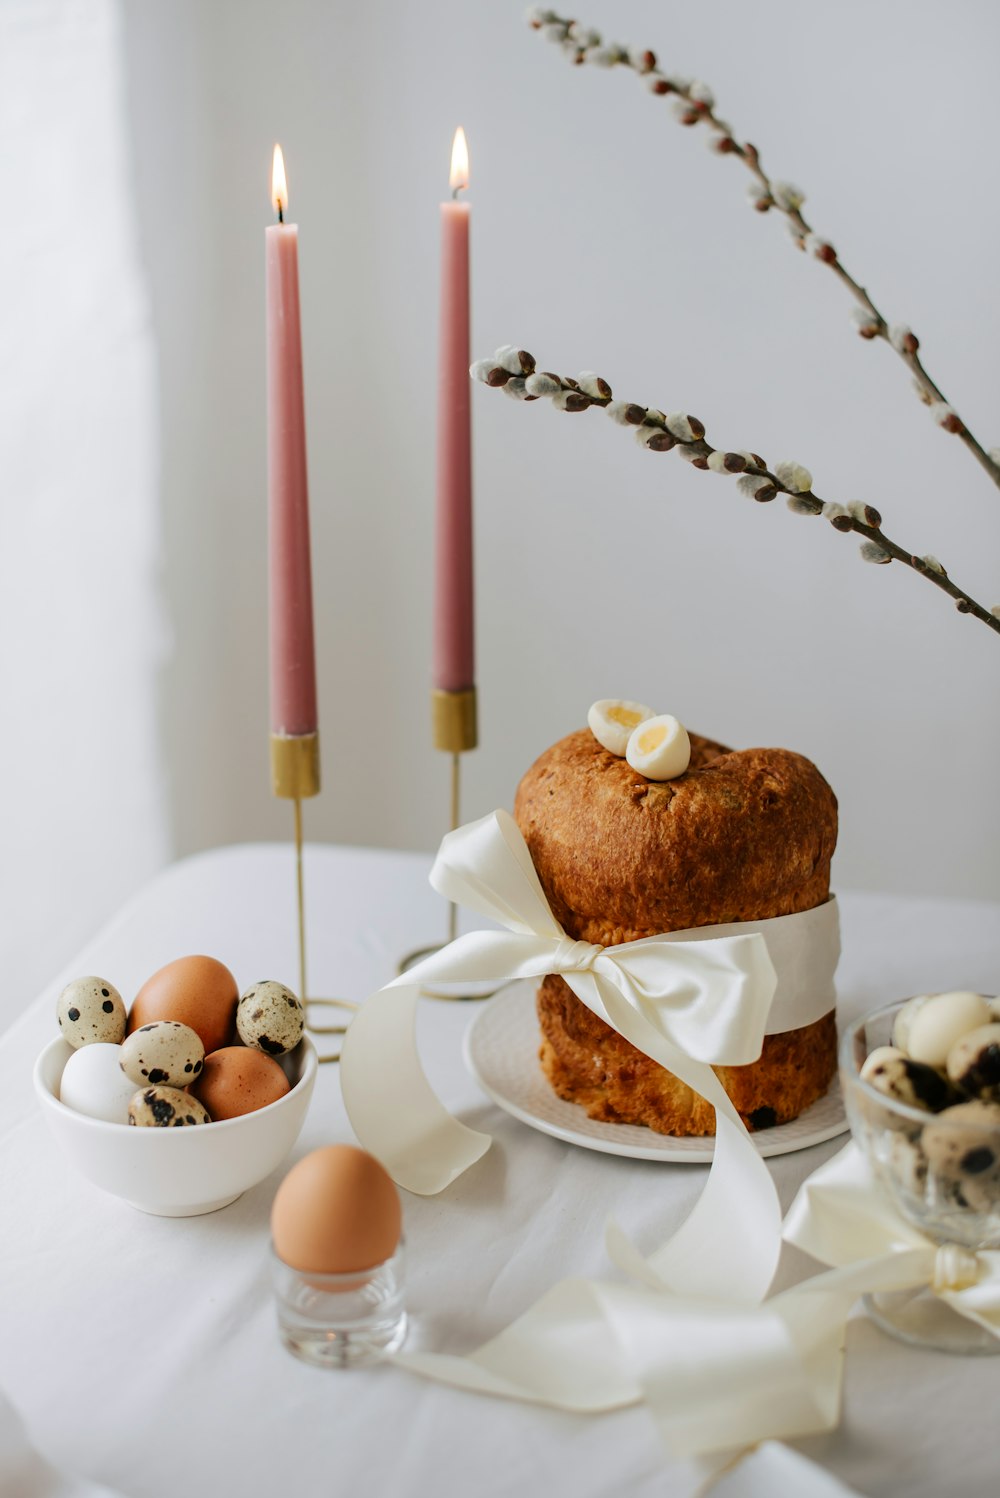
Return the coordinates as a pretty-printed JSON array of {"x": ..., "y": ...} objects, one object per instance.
[{"x": 719, "y": 1376}]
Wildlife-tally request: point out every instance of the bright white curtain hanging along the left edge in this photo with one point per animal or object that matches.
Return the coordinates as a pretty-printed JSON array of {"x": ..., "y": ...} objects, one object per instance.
[{"x": 82, "y": 630}]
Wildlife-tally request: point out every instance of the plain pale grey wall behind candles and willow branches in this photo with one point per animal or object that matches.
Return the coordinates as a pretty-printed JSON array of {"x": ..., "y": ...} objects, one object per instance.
[{"x": 606, "y": 236}]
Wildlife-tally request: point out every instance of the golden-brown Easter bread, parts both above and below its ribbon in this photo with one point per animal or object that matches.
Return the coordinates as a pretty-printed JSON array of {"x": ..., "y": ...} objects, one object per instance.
[{"x": 740, "y": 837}]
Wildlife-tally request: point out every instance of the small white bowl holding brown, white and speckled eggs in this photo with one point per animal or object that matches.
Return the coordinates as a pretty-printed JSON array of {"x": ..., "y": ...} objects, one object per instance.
[{"x": 186, "y": 1100}]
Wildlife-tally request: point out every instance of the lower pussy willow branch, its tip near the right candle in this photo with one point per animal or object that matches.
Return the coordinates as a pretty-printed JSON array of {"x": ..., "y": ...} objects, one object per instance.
[{"x": 516, "y": 372}]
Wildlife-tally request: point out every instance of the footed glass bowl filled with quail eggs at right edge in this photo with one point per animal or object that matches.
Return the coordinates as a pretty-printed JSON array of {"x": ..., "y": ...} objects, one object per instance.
[{"x": 921, "y": 1084}]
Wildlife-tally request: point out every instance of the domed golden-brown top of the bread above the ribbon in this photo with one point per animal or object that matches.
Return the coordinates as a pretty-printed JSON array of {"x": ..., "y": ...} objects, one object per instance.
[{"x": 739, "y": 838}]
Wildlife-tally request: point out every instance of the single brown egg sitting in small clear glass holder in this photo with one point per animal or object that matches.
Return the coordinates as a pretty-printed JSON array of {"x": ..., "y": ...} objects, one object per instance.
[{"x": 336, "y": 1213}]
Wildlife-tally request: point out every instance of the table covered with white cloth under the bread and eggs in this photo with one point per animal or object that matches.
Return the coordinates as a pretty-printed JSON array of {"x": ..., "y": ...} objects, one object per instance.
[{"x": 143, "y": 1352}]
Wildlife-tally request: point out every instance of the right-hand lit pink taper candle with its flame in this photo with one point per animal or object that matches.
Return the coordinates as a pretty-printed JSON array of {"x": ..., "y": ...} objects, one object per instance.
[{"x": 454, "y": 640}]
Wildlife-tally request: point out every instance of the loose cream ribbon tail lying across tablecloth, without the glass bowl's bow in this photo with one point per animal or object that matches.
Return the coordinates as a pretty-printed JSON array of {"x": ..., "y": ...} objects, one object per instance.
[{"x": 716, "y": 1376}]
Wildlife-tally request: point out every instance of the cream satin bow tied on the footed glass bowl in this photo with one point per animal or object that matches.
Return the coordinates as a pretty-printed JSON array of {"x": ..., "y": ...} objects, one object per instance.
[{"x": 842, "y": 1217}]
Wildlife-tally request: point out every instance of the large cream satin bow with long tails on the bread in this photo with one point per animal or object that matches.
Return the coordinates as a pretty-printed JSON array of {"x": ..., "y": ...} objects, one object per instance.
[{"x": 689, "y": 1006}]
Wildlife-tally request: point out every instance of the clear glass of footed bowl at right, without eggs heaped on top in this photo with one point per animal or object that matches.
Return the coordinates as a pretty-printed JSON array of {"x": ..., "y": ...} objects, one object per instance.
[{"x": 947, "y": 1184}]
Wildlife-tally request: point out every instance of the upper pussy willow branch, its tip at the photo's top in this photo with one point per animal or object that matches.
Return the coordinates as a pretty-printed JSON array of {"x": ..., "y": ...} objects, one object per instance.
[{"x": 695, "y": 104}]
